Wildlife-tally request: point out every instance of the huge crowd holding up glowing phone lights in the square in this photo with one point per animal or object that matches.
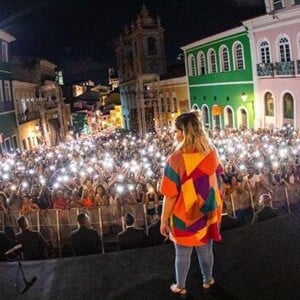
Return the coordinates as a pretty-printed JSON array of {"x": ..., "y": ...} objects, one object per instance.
[{"x": 126, "y": 169}]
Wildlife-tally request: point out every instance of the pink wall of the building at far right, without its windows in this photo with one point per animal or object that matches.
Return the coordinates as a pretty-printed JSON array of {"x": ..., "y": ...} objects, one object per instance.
[{"x": 283, "y": 23}]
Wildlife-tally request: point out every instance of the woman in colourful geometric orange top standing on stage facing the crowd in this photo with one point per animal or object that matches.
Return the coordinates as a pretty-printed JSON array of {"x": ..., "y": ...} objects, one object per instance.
[{"x": 192, "y": 206}]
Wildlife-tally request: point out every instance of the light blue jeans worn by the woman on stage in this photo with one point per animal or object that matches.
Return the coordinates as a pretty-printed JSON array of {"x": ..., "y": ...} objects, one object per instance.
[{"x": 183, "y": 261}]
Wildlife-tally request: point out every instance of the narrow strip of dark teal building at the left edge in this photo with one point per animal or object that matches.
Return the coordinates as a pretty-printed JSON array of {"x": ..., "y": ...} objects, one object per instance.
[{"x": 8, "y": 126}]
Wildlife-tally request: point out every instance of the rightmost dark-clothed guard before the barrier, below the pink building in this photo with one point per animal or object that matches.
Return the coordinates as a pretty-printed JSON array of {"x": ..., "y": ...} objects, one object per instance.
[{"x": 265, "y": 211}]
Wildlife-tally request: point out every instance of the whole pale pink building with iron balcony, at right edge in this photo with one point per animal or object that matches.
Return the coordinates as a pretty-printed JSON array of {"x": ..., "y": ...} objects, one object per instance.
[{"x": 275, "y": 47}]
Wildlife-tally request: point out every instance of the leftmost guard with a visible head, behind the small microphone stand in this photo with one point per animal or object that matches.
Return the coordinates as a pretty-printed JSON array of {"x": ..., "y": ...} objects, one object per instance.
[{"x": 34, "y": 245}]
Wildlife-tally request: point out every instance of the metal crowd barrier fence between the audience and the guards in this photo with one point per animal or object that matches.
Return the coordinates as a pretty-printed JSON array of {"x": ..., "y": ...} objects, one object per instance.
[{"x": 57, "y": 225}]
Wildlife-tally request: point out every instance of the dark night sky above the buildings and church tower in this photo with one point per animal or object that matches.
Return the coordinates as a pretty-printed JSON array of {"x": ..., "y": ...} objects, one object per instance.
[{"x": 77, "y": 35}]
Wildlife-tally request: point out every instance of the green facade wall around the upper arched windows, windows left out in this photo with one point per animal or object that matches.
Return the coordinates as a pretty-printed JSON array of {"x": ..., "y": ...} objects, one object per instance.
[{"x": 221, "y": 92}]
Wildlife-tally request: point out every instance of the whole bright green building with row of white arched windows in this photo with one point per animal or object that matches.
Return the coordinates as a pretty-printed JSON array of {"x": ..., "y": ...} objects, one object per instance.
[{"x": 220, "y": 80}]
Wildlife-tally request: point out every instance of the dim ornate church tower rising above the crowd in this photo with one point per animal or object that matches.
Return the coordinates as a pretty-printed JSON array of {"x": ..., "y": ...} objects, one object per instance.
[{"x": 141, "y": 60}]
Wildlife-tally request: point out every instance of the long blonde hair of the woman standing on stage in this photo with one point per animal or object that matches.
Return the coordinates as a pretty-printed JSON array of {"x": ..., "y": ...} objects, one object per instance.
[{"x": 194, "y": 136}]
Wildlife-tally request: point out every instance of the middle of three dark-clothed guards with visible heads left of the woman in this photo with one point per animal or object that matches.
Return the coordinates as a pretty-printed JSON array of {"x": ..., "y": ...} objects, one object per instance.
[{"x": 85, "y": 240}]
